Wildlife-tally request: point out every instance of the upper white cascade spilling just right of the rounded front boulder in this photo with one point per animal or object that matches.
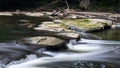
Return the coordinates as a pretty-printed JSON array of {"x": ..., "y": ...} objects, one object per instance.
[{"x": 86, "y": 45}]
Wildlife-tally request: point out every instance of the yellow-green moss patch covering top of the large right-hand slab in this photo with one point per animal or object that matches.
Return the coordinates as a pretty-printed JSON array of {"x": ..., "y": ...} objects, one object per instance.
[{"x": 84, "y": 24}]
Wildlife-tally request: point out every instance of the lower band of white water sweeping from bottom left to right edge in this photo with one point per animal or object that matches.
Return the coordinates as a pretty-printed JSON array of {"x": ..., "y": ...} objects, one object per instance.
[{"x": 47, "y": 62}]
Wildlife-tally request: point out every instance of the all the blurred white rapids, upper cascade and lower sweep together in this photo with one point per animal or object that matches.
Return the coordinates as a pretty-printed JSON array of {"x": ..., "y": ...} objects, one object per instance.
[{"x": 95, "y": 50}]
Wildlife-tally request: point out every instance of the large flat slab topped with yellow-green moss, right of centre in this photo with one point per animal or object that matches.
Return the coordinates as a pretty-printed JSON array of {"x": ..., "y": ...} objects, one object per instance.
[{"x": 86, "y": 25}]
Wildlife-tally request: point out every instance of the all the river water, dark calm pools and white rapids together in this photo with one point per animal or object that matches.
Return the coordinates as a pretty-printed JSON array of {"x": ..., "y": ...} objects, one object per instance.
[{"x": 94, "y": 50}]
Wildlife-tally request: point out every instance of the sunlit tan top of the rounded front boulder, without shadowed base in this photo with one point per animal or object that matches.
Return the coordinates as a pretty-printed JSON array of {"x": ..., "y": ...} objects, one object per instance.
[{"x": 44, "y": 41}]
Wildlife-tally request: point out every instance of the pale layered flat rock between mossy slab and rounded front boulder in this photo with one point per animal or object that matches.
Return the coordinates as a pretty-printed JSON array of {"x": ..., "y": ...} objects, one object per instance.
[{"x": 57, "y": 30}]
